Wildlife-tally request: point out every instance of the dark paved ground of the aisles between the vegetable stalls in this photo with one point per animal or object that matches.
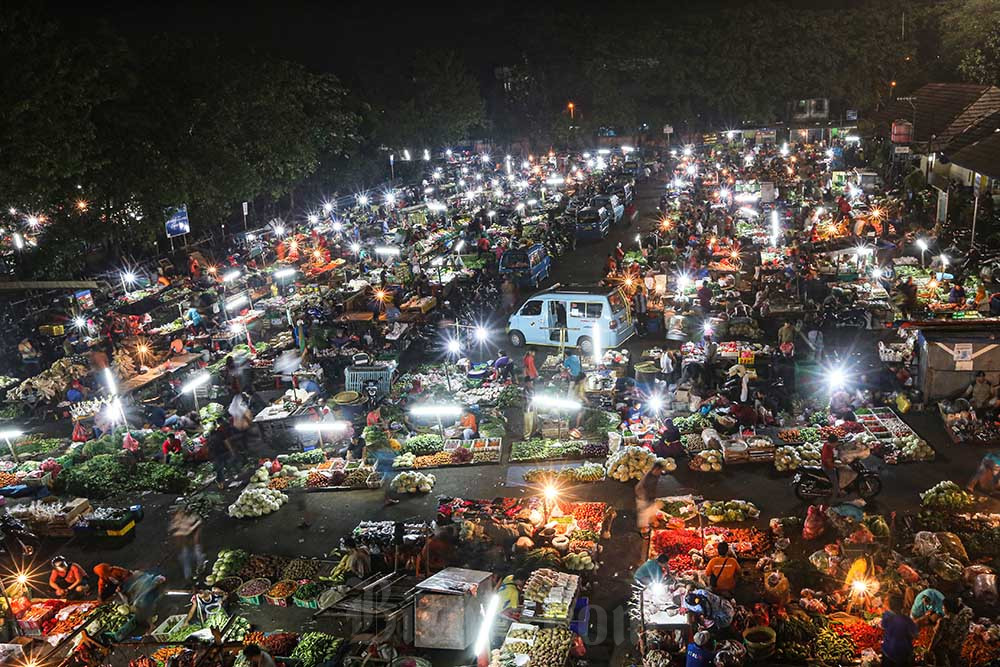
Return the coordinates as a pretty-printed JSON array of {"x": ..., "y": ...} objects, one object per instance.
[{"x": 337, "y": 513}]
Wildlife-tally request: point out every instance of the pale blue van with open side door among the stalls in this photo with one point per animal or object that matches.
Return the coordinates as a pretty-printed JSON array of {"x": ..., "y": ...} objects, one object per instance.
[{"x": 572, "y": 315}]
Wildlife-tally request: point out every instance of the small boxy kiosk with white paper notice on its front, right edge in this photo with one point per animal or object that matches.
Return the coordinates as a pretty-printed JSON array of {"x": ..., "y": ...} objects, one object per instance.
[{"x": 950, "y": 354}]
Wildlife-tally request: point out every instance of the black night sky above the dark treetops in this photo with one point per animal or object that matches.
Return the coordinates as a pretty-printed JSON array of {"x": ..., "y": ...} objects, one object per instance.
[{"x": 338, "y": 36}]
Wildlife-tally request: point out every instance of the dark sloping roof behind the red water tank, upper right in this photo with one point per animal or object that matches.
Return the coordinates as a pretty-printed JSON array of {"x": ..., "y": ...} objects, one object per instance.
[{"x": 936, "y": 107}]
